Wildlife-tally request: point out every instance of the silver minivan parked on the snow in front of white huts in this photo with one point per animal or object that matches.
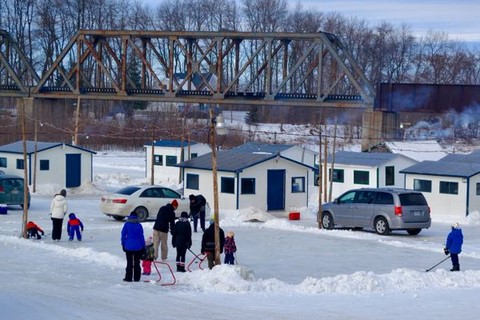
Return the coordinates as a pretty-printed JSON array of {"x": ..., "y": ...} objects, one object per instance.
[{"x": 383, "y": 209}]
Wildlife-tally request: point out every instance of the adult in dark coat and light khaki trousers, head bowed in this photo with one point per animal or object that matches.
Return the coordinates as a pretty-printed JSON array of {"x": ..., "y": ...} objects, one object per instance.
[{"x": 164, "y": 222}]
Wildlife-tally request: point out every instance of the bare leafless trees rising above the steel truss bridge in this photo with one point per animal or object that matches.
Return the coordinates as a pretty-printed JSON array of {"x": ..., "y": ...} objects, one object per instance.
[{"x": 385, "y": 53}]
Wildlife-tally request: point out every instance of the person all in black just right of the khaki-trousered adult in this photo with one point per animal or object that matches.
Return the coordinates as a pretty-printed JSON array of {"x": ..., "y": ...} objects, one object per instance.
[{"x": 182, "y": 239}]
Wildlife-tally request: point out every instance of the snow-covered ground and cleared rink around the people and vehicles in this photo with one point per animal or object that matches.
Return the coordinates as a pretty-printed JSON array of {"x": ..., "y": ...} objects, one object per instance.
[{"x": 286, "y": 269}]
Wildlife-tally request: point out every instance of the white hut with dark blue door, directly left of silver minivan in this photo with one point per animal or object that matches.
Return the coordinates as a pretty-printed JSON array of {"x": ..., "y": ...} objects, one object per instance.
[{"x": 263, "y": 176}]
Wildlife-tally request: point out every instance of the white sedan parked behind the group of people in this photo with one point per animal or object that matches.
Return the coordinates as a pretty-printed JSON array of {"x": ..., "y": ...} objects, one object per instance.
[{"x": 144, "y": 200}]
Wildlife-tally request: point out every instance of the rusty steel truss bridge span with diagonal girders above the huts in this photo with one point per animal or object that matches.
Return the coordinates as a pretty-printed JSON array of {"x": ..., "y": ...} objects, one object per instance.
[{"x": 292, "y": 69}]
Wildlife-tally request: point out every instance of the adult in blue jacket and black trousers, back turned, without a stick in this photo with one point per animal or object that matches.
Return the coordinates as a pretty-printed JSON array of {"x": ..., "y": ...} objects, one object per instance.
[{"x": 133, "y": 244}]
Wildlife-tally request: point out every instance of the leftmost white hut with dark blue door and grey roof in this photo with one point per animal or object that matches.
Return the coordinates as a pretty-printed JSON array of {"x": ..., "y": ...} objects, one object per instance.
[{"x": 61, "y": 164}]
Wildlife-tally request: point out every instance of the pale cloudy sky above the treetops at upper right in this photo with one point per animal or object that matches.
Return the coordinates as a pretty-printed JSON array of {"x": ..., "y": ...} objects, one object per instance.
[{"x": 459, "y": 18}]
